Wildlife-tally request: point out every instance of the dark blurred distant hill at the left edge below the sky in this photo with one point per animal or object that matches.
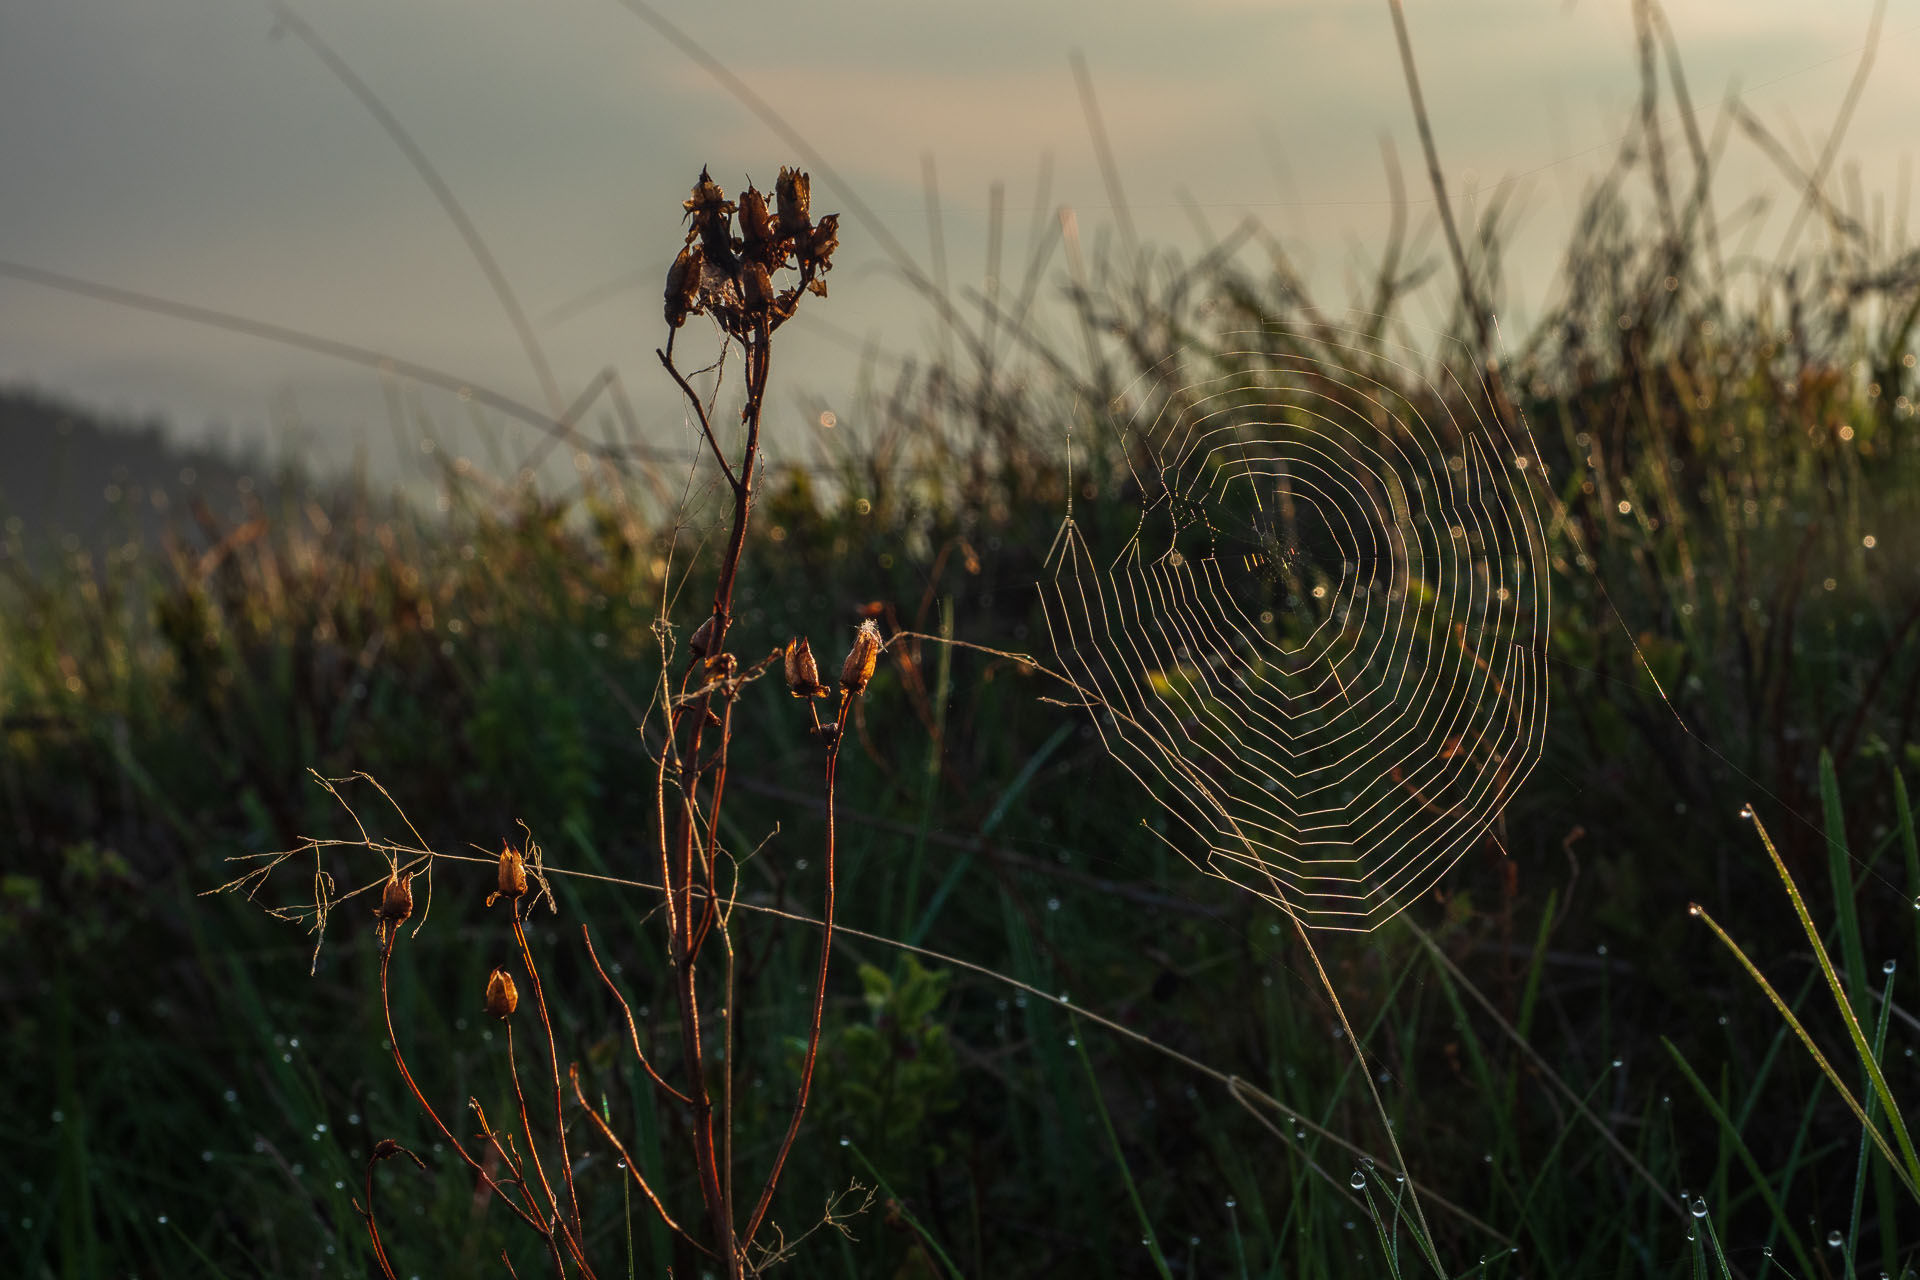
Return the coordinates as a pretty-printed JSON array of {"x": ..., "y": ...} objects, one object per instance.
[{"x": 68, "y": 473}]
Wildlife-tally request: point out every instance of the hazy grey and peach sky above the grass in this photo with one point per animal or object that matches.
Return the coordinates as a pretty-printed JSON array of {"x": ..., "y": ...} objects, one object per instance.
[{"x": 187, "y": 151}]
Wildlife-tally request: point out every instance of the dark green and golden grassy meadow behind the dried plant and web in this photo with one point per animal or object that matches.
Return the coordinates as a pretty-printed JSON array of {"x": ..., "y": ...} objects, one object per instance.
[{"x": 1581, "y": 1078}]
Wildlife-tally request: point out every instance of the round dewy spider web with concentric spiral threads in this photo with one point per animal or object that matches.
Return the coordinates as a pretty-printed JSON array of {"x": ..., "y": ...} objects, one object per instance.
[{"x": 1324, "y": 642}]
